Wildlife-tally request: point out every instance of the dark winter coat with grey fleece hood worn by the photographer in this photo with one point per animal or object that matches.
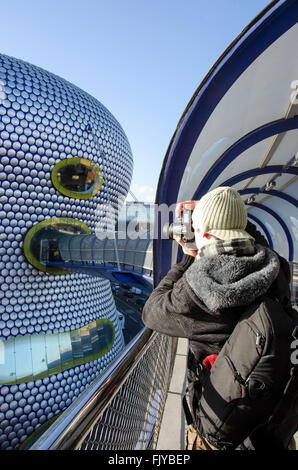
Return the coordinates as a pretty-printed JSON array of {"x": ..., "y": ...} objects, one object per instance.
[{"x": 179, "y": 305}]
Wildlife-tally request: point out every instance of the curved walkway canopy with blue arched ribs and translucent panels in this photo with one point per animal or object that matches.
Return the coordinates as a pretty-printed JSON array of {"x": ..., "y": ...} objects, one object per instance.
[{"x": 240, "y": 129}]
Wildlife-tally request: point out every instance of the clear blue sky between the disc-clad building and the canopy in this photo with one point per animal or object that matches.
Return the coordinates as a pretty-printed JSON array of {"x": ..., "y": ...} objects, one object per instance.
[{"x": 142, "y": 59}]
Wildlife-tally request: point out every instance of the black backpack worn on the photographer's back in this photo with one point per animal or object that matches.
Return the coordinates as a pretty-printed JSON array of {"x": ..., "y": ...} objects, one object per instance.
[{"x": 249, "y": 397}]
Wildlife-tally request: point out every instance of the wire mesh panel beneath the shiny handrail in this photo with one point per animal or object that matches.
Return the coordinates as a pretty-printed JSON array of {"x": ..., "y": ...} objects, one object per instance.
[{"x": 132, "y": 419}]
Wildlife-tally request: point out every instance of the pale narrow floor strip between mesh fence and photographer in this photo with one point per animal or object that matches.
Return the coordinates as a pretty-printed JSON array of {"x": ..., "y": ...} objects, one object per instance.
[{"x": 172, "y": 432}]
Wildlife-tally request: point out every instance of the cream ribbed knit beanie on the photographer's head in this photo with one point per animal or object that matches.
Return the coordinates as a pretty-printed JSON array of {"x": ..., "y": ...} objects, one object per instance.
[{"x": 222, "y": 213}]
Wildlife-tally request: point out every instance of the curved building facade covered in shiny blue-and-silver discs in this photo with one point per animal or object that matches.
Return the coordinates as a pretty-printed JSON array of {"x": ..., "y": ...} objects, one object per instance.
[{"x": 57, "y": 331}]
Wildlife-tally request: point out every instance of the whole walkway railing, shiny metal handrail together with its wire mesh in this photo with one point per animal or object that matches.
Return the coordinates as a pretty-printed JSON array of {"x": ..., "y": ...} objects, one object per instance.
[{"x": 122, "y": 408}]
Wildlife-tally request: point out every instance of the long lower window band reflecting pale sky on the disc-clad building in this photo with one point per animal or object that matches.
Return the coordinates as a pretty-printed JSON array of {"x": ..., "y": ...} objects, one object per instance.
[{"x": 33, "y": 357}]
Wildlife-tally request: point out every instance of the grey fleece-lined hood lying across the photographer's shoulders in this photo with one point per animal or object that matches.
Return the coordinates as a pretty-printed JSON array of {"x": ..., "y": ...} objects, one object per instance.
[{"x": 225, "y": 280}]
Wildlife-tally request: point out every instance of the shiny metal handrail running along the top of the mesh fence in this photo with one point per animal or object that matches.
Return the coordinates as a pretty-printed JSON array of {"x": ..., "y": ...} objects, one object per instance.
[{"x": 70, "y": 429}]
